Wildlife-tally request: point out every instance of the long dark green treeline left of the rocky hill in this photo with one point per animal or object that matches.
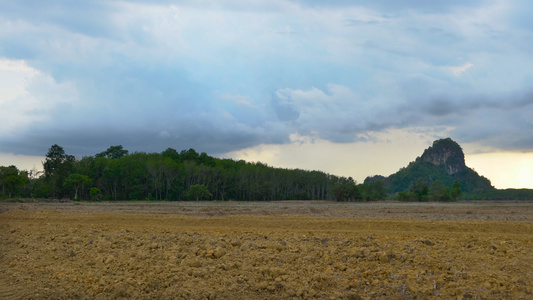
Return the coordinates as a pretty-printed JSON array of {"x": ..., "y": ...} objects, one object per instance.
[{"x": 115, "y": 174}]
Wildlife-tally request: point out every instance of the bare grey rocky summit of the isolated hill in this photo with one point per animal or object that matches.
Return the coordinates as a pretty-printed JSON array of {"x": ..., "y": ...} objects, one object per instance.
[{"x": 448, "y": 153}]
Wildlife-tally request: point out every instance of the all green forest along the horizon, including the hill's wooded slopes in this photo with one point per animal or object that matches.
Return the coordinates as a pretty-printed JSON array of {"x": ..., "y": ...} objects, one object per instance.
[{"x": 116, "y": 174}]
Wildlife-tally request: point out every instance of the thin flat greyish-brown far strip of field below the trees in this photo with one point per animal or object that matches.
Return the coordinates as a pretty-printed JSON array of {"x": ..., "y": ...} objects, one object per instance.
[{"x": 431, "y": 211}]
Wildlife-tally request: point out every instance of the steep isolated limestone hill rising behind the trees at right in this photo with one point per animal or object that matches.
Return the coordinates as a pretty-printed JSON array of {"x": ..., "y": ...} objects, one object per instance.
[{"x": 444, "y": 161}]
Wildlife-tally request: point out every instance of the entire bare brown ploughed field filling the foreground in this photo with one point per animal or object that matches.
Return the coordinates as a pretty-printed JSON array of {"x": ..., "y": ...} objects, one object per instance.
[{"x": 268, "y": 250}]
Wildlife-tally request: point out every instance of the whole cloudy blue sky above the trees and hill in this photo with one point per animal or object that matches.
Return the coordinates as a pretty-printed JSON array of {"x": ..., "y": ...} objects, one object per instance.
[{"x": 352, "y": 88}]
